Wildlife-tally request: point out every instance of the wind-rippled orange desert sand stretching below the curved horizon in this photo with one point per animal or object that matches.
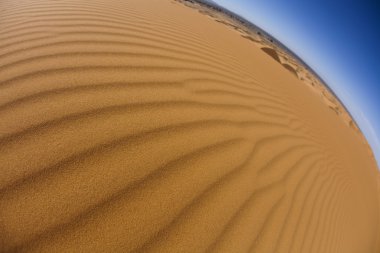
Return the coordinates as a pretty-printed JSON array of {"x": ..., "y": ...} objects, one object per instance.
[{"x": 159, "y": 126}]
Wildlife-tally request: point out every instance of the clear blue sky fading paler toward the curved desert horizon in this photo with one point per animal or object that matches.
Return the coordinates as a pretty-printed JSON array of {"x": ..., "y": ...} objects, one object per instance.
[{"x": 339, "y": 39}]
